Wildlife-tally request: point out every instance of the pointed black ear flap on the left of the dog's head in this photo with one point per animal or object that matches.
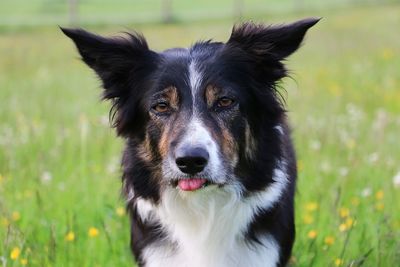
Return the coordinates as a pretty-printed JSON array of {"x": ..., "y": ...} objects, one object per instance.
[{"x": 116, "y": 60}]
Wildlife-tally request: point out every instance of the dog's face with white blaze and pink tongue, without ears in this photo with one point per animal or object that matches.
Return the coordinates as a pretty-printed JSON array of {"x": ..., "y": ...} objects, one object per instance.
[{"x": 197, "y": 122}]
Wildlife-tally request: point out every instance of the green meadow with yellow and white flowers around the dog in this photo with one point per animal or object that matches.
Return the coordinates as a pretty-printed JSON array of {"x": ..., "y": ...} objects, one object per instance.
[{"x": 59, "y": 161}]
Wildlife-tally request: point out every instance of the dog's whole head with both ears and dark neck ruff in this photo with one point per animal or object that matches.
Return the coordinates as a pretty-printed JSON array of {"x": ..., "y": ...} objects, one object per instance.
[{"x": 206, "y": 115}]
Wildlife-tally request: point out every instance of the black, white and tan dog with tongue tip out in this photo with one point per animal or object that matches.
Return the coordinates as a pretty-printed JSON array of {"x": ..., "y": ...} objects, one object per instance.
[{"x": 209, "y": 169}]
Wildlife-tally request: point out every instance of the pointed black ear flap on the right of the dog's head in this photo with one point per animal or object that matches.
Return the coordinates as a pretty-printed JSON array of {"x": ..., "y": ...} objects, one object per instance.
[{"x": 276, "y": 42}]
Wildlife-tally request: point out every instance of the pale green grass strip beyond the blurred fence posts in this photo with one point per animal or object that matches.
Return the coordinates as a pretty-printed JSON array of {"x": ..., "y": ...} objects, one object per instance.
[{"x": 20, "y": 13}]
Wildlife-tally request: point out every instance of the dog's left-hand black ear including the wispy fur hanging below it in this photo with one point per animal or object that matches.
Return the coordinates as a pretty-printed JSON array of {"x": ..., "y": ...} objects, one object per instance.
[{"x": 122, "y": 63}]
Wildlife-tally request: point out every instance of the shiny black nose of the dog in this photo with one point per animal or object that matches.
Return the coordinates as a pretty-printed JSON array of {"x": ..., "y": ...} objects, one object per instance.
[{"x": 191, "y": 160}]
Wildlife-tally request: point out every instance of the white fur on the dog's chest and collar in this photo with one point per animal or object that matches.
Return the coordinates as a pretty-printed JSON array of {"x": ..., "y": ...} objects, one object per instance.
[{"x": 207, "y": 227}]
